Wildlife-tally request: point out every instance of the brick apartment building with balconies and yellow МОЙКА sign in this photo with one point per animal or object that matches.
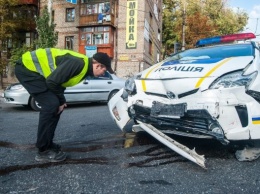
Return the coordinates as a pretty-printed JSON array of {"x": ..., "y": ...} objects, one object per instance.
[{"x": 129, "y": 31}]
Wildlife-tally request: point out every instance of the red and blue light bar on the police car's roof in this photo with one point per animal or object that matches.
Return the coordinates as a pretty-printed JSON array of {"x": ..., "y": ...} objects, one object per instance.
[{"x": 225, "y": 39}]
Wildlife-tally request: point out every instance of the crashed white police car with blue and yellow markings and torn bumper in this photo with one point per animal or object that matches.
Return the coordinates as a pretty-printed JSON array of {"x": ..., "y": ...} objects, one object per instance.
[{"x": 211, "y": 91}]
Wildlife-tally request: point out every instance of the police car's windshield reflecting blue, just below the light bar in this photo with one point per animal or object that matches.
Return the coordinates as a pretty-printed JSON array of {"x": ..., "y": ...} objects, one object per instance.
[{"x": 220, "y": 51}]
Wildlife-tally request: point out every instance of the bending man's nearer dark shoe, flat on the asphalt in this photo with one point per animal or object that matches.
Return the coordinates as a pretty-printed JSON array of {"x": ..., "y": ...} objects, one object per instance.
[{"x": 50, "y": 156}]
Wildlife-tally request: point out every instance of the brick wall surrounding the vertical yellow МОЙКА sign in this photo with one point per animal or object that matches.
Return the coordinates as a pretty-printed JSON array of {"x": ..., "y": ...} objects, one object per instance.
[{"x": 132, "y": 61}]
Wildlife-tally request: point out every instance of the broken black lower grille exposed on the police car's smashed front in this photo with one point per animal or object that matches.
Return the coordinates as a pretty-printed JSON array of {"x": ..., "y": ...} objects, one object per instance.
[{"x": 194, "y": 122}]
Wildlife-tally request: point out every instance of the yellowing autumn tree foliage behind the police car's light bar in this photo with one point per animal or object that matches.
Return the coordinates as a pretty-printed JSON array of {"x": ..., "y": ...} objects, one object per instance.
[{"x": 198, "y": 19}]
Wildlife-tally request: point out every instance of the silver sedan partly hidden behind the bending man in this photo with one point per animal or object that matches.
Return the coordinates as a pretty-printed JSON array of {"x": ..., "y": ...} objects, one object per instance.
[{"x": 92, "y": 89}]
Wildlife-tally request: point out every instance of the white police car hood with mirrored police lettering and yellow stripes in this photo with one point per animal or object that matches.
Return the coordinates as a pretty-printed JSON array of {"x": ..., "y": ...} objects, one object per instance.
[{"x": 189, "y": 73}]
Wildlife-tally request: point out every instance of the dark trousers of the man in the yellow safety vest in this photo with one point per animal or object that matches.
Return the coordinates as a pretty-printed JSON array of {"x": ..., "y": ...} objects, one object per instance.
[{"x": 35, "y": 84}]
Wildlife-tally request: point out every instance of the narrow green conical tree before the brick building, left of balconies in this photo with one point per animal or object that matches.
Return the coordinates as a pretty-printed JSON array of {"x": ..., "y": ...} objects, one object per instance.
[{"x": 47, "y": 37}]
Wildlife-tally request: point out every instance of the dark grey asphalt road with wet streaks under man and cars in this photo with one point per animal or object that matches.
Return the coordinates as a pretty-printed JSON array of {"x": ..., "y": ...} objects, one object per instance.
[{"x": 104, "y": 160}]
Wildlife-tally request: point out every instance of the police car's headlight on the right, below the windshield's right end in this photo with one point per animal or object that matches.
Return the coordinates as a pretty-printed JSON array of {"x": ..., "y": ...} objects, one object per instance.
[{"x": 234, "y": 79}]
